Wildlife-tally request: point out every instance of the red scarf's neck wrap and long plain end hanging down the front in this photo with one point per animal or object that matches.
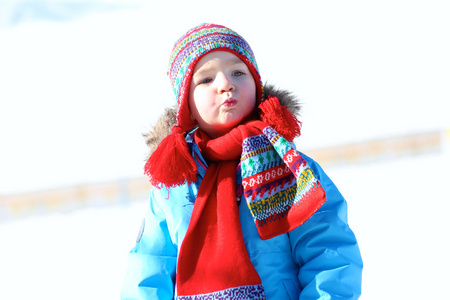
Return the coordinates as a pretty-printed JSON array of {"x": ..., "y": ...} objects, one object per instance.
[{"x": 213, "y": 258}]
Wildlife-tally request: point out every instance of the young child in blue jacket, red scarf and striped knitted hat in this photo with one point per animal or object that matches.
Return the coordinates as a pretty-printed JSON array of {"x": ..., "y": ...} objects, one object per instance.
[{"x": 236, "y": 212}]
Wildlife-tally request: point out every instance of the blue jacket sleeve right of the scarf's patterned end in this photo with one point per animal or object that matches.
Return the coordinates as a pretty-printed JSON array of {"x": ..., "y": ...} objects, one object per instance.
[{"x": 326, "y": 249}]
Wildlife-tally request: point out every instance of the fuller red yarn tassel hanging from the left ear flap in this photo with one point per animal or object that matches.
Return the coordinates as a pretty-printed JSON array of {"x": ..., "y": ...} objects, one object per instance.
[{"x": 171, "y": 164}]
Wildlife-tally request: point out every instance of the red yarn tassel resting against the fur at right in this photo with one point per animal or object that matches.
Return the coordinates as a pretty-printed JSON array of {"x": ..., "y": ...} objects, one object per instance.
[{"x": 280, "y": 118}]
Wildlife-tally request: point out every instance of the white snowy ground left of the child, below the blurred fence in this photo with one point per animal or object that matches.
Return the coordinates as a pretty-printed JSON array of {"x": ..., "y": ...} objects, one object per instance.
[{"x": 79, "y": 255}]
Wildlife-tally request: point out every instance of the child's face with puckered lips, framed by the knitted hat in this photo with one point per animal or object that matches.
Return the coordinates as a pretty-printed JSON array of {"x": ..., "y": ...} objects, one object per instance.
[{"x": 222, "y": 93}]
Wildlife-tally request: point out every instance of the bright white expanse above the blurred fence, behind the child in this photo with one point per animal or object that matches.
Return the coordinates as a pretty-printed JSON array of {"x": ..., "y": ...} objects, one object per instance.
[{"x": 75, "y": 96}]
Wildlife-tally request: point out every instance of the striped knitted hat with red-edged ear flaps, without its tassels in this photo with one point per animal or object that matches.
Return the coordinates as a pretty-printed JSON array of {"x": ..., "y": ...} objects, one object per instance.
[{"x": 190, "y": 48}]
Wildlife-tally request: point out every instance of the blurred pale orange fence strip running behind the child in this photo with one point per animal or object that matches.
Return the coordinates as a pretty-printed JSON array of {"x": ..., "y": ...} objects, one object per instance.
[{"x": 137, "y": 189}]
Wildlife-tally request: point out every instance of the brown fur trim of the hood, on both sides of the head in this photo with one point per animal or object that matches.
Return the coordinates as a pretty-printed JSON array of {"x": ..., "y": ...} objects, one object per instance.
[{"x": 168, "y": 119}]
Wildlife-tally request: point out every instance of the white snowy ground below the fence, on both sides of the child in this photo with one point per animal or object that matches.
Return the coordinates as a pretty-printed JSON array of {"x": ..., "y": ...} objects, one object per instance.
[{"x": 396, "y": 208}]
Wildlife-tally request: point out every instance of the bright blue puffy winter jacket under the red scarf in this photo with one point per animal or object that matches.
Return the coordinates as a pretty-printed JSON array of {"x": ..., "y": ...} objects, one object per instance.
[{"x": 318, "y": 260}]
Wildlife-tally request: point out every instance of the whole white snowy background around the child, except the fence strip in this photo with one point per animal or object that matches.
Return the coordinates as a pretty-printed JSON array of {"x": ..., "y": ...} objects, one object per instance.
[{"x": 81, "y": 80}]
